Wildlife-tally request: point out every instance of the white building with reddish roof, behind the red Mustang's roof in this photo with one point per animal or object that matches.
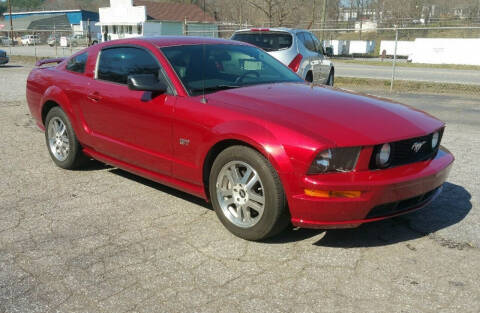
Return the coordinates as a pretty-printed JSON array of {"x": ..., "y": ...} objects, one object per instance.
[{"x": 128, "y": 18}]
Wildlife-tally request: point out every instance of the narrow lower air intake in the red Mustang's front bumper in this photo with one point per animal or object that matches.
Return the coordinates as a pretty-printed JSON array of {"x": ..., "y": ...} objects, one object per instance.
[{"x": 403, "y": 205}]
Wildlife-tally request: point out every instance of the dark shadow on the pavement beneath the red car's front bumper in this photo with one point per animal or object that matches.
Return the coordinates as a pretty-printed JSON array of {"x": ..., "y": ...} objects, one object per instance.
[{"x": 451, "y": 207}]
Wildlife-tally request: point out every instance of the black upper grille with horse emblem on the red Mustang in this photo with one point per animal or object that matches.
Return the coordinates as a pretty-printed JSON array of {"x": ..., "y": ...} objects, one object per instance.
[{"x": 402, "y": 152}]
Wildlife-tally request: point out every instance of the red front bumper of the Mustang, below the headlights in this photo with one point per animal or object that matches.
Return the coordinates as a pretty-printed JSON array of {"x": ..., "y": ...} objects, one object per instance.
[{"x": 385, "y": 193}]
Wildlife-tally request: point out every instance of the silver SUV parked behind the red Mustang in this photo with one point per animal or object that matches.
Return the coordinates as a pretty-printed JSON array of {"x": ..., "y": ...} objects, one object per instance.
[{"x": 299, "y": 49}]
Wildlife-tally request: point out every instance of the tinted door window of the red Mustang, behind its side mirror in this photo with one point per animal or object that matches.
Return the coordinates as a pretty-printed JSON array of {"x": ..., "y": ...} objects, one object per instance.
[{"x": 116, "y": 64}]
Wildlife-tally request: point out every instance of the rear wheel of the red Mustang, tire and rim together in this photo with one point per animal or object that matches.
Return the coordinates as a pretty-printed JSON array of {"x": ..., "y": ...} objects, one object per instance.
[{"x": 62, "y": 143}]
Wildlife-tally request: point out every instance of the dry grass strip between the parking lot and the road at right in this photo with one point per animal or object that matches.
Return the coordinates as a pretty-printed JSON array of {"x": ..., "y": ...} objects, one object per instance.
[{"x": 406, "y": 86}]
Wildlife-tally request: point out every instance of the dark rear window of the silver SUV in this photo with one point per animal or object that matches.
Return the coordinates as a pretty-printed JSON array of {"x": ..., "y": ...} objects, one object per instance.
[{"x": 268, "y": 41}]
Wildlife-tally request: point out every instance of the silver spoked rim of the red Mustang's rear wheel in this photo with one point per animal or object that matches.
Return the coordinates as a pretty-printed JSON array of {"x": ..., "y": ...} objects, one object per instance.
[{"x": 58, "y": 140}]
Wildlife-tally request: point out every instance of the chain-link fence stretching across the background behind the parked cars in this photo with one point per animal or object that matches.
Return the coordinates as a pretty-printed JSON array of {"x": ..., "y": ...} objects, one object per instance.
[{"x": 432, "y": 59}]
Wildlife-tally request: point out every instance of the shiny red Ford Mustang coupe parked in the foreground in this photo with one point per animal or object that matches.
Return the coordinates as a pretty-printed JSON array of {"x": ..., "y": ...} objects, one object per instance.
[{"x": 225, "y": 121}]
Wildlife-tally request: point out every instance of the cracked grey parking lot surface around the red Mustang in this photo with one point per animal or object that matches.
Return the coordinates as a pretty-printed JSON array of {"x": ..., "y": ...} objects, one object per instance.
[{"x": 103, "y": 240}]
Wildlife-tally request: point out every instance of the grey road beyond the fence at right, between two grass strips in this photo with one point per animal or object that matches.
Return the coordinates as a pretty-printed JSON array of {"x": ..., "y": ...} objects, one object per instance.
[{"x": 438, "y": 75}]
